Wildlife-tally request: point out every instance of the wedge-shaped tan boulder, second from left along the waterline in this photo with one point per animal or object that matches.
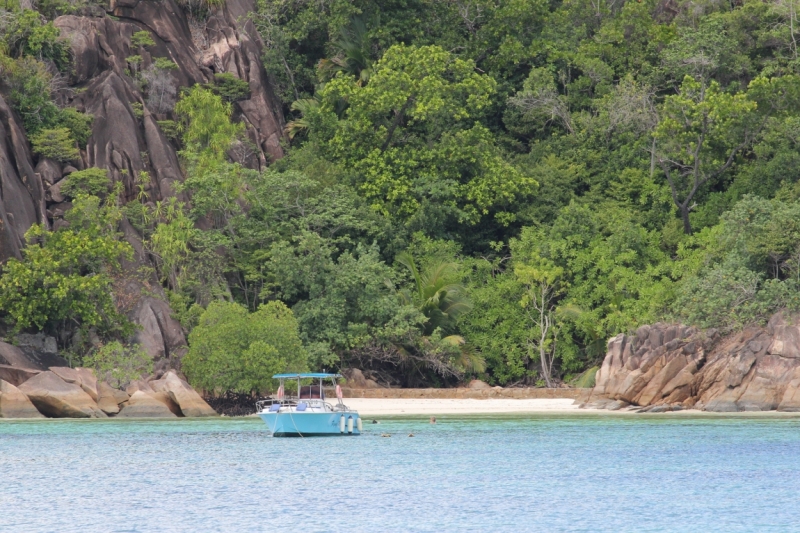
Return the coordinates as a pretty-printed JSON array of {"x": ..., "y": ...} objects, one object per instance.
[{"x": 56, "y": 398}]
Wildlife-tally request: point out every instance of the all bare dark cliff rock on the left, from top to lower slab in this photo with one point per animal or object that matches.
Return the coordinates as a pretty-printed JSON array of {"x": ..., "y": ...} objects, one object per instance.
[{"x": 127, "y": 138}]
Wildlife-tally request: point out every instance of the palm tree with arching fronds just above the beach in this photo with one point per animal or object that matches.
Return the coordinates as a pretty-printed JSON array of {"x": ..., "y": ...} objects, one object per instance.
[{"x": 442, "y": 302}]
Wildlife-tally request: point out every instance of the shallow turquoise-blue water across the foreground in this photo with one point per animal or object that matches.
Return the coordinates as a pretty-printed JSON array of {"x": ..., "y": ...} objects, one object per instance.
[{"x": 579, "y": 473}]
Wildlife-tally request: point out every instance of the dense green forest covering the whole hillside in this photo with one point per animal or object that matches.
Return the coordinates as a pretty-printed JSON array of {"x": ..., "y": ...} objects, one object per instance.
[{"x": 472, "y": 188}]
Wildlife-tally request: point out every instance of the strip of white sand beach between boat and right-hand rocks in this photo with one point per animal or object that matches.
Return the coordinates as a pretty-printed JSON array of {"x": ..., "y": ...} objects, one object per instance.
[{"x": 407, "y": 406}]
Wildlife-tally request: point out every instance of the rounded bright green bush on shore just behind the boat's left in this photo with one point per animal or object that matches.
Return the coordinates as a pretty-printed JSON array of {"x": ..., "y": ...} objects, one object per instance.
[{"x": 233, "y": 350}]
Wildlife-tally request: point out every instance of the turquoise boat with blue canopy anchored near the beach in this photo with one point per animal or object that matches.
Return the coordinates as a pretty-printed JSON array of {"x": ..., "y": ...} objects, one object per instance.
[{"x": 308, "y": 414}]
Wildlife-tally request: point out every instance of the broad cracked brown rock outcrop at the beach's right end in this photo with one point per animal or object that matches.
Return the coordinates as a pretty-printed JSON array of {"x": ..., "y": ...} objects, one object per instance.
[{"x": 668, "y": 366}]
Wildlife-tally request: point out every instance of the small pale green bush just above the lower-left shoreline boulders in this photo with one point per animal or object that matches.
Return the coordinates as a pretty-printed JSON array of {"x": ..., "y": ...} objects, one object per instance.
[{"x": 118, "y": 365}]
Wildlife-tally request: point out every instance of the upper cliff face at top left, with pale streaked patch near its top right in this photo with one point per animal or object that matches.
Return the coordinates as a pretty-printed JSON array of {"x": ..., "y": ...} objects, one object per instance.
[{"x": 227, "y": 42}]
